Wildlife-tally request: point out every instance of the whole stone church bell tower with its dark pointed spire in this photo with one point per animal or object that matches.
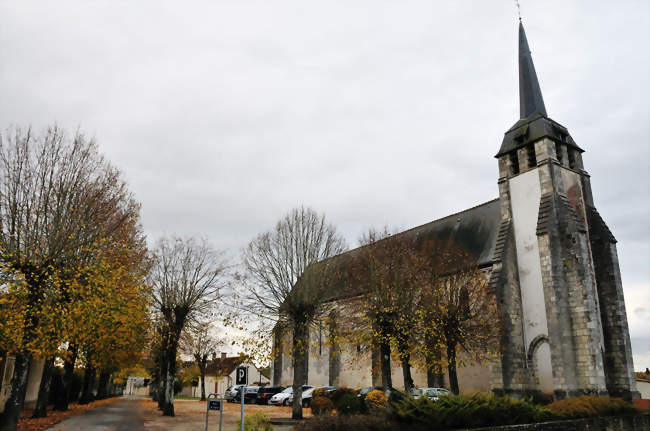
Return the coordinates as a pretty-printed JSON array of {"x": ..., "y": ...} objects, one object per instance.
[{"x": 559, "y": 287}]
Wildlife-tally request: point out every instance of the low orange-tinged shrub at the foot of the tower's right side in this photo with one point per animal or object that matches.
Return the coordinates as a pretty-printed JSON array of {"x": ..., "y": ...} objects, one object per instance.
[{"x": 588, "y": 406}]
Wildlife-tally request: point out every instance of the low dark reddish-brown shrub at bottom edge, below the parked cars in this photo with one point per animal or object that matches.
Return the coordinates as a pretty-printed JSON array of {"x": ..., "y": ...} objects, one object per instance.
[{"x": 347, "y": 423}]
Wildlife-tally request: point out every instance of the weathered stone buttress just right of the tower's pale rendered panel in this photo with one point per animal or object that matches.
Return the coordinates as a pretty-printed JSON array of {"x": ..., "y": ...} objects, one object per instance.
[{"x": 569, "y": 285}]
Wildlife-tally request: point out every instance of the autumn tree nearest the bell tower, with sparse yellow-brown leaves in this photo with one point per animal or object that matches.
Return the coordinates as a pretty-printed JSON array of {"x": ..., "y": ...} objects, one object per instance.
[{"x": 456, "y": 310}]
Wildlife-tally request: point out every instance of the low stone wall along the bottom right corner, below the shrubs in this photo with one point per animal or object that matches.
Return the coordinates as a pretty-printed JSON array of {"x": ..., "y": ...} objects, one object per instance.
[{"x": 609, "y": 423}]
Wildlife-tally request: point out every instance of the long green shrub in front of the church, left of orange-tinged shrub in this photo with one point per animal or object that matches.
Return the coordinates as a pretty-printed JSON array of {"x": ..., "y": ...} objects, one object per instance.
[{"x": 477, "y": 410}]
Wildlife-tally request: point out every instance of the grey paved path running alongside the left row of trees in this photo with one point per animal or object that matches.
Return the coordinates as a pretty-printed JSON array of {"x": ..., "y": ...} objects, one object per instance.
[{"x": 125, "y": 414}]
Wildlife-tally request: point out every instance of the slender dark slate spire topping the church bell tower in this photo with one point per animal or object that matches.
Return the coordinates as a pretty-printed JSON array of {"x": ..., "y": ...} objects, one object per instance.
[{"x": 530, "y": 95}]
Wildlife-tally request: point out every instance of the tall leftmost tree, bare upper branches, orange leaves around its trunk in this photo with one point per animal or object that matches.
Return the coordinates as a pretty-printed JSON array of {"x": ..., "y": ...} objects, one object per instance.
[{"x": 58, "y": 198}]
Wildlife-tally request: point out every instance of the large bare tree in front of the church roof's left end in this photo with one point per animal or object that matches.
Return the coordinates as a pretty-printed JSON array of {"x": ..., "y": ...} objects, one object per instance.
[{"x": 285, "y": 285}]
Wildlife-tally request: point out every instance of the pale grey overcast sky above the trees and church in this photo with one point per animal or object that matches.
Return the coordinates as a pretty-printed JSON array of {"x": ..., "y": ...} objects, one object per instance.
[{"x": 223, "y": 115}]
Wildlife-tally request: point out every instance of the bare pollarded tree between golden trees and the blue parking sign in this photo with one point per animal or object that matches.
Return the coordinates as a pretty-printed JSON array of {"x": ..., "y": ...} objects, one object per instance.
[{"x": 186, "y": 278}]
